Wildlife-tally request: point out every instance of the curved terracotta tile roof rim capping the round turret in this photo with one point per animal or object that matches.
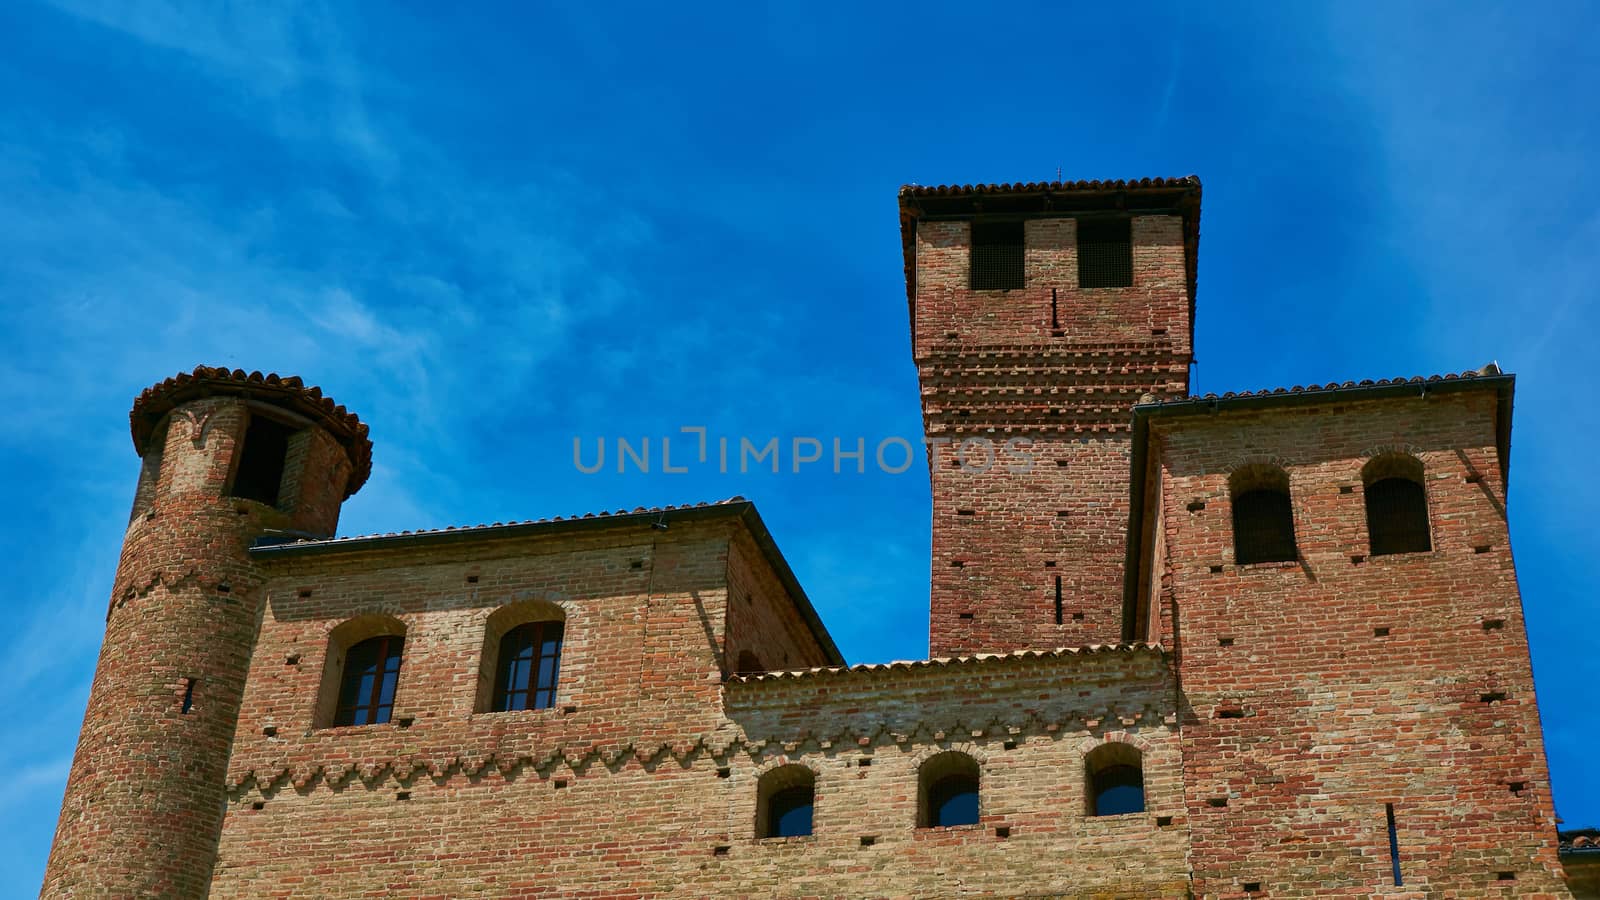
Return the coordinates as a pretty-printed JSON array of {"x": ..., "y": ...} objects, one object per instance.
[{"x": 281, "y": 392}]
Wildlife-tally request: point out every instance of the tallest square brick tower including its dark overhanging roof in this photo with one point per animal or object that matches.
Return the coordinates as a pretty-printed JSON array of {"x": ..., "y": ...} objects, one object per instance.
[{"x": 1041, "y": 315}]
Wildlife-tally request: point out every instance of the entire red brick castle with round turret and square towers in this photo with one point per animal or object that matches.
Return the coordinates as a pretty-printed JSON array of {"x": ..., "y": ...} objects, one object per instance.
[{"x": 1244, "y": 646}]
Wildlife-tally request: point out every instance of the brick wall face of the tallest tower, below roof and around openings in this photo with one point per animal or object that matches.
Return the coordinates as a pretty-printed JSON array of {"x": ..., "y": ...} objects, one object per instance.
[{"x": 994, "y": 369}]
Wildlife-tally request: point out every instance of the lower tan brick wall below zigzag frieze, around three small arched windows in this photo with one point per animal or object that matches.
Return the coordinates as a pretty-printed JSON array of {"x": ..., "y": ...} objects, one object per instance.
[{"x": 641, "y": 822}]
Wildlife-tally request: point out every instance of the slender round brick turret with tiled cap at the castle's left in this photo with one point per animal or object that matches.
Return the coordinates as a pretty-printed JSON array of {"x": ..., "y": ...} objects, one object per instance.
[{"x": 230, "y": 459}]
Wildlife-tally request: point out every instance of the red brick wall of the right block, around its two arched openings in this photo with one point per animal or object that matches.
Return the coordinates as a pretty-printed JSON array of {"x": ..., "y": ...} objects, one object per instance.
[{"x": 1335, "y": 720}]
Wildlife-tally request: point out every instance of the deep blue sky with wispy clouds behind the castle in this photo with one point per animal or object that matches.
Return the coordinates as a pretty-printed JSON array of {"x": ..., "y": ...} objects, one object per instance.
[{"x": 495, "y": 230}]
